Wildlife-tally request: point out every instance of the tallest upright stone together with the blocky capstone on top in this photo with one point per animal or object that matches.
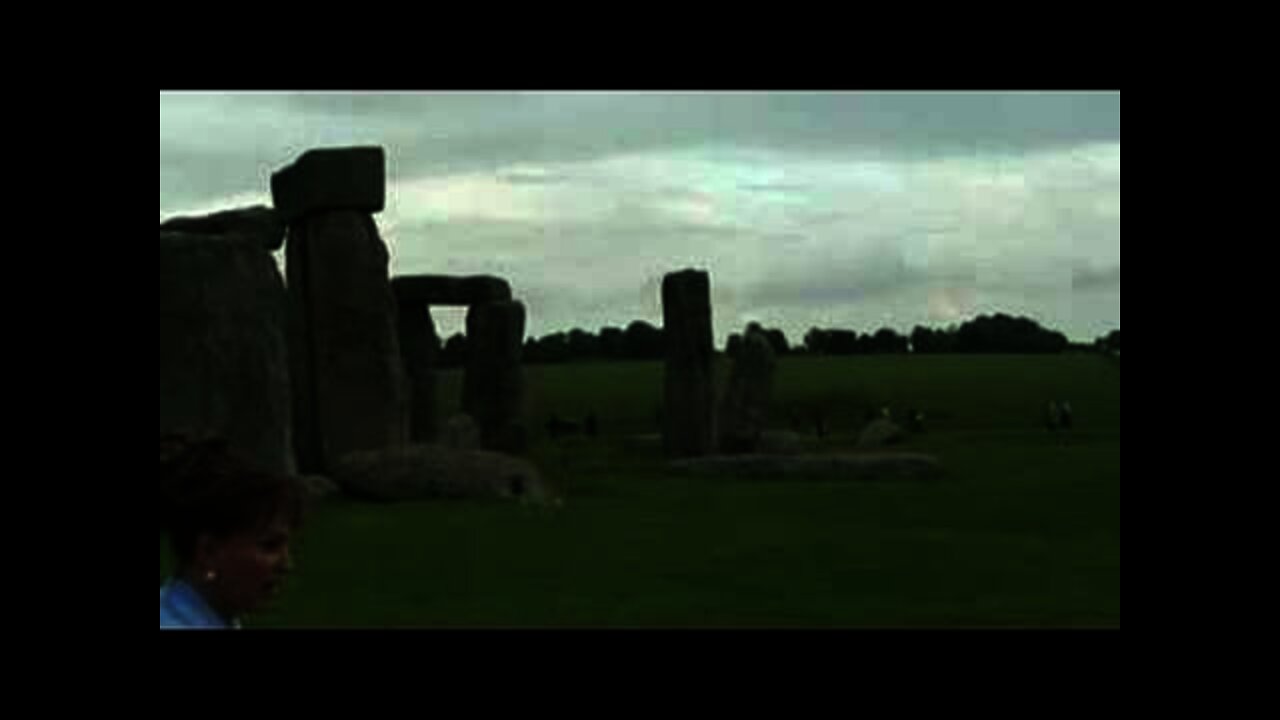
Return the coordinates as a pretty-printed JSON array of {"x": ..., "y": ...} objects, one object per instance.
[{"x": 349, "y": 373}]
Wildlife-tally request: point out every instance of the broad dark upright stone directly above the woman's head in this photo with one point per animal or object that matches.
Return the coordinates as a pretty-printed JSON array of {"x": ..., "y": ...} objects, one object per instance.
[{"x": 223, "y": 353}]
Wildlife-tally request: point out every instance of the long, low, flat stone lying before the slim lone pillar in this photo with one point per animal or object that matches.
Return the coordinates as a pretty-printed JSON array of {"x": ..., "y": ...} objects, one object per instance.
[{"x": 854, "y": 468}]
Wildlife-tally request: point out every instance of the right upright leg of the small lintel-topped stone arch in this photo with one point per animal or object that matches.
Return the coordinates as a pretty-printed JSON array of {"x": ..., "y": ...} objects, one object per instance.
[{"x": 493, "y": 391}]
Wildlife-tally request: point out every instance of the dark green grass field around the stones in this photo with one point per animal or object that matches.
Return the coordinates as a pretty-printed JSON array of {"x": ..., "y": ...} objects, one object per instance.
[{"x": 1023, "y": 532}]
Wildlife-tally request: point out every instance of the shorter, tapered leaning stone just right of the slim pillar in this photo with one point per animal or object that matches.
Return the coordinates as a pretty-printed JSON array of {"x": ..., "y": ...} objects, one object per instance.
[{"x": 747, "y": 402}]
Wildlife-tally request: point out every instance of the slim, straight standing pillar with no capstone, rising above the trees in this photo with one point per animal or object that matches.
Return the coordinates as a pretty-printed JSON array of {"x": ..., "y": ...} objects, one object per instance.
[{"x": 689, "y": 418}]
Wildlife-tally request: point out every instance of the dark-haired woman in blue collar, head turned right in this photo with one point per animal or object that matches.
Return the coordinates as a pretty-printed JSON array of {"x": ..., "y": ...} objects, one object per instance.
[{"x": 230, "y": 527}]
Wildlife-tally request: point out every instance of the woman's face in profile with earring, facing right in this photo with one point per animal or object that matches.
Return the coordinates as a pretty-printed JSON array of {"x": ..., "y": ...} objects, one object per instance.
[{"x": 248, "y": 568}]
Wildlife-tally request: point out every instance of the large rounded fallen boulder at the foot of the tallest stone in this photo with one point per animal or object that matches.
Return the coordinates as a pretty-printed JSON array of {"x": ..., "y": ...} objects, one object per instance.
[{"x": 420, "y": 472}]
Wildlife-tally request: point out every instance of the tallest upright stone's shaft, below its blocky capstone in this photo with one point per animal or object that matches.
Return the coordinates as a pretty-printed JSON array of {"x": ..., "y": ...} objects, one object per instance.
[{"x": 351, "y": 388}]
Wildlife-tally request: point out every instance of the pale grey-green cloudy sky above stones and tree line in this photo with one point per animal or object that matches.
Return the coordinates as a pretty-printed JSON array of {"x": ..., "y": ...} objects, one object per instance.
[{"x": 853, "y": 211}]
